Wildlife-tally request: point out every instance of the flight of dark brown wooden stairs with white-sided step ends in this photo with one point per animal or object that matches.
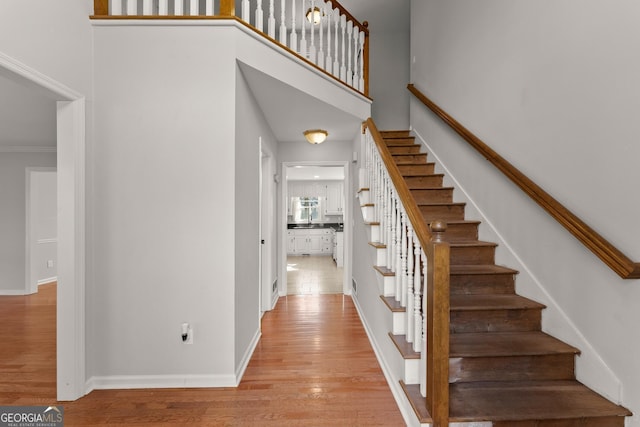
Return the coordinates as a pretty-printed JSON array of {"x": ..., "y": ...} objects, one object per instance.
[{"x": 502, "y": 368}]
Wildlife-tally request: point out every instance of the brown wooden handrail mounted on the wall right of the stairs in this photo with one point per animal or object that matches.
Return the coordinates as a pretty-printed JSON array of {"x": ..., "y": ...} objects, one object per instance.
[{"x": 610, "y": 255}]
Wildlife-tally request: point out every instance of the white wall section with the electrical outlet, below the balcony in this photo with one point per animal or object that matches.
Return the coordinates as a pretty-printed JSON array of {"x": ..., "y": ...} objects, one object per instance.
[{"x": 164, "y": 201}]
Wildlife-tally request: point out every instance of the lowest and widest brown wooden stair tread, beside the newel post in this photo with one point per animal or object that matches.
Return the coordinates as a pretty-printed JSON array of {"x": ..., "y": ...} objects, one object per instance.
[{"x": 528, "y": 400}]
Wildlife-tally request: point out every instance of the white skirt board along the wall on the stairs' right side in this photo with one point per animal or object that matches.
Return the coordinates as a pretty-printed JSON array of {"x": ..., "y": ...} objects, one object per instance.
[{"x": 591, "y": 369}]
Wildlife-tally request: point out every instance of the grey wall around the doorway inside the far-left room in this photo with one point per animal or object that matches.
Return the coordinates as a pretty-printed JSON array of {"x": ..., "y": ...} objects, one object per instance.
[{"x": 13, "y": 216}]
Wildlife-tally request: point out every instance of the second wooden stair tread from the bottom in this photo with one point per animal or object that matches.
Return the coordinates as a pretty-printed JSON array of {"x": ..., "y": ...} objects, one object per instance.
[{"x": 500, "y": 344}]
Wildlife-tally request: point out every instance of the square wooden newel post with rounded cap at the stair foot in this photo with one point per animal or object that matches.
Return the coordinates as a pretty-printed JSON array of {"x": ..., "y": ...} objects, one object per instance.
[{"x": 437, "y": 332}]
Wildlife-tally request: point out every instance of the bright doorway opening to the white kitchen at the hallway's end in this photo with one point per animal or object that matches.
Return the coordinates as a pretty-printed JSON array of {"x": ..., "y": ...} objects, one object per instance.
[{"x": 315, "y": 212}]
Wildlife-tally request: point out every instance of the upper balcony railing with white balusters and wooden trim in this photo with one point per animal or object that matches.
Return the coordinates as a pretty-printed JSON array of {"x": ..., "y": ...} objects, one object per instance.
[{"x": 321, "y": 32}]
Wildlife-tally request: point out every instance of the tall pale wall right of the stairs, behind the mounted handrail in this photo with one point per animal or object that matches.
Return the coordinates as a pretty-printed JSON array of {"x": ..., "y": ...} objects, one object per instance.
[{"x": 554, "y": 90}]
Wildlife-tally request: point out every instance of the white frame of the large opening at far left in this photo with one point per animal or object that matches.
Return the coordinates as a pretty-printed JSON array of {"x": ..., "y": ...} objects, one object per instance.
[{"x": 70, "y": 147}]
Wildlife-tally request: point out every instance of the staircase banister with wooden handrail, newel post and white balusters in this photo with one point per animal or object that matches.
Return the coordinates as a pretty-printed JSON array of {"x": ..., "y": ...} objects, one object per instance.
[{"x": 431, "y": 261}]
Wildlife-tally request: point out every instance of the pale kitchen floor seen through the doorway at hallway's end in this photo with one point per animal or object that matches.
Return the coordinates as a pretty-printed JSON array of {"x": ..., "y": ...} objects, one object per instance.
[{"x": 313, "y": 275}]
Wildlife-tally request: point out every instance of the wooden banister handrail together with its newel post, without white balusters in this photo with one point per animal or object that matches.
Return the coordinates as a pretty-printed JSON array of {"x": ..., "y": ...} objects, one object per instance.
[{"x": 436, "y": 288}]
